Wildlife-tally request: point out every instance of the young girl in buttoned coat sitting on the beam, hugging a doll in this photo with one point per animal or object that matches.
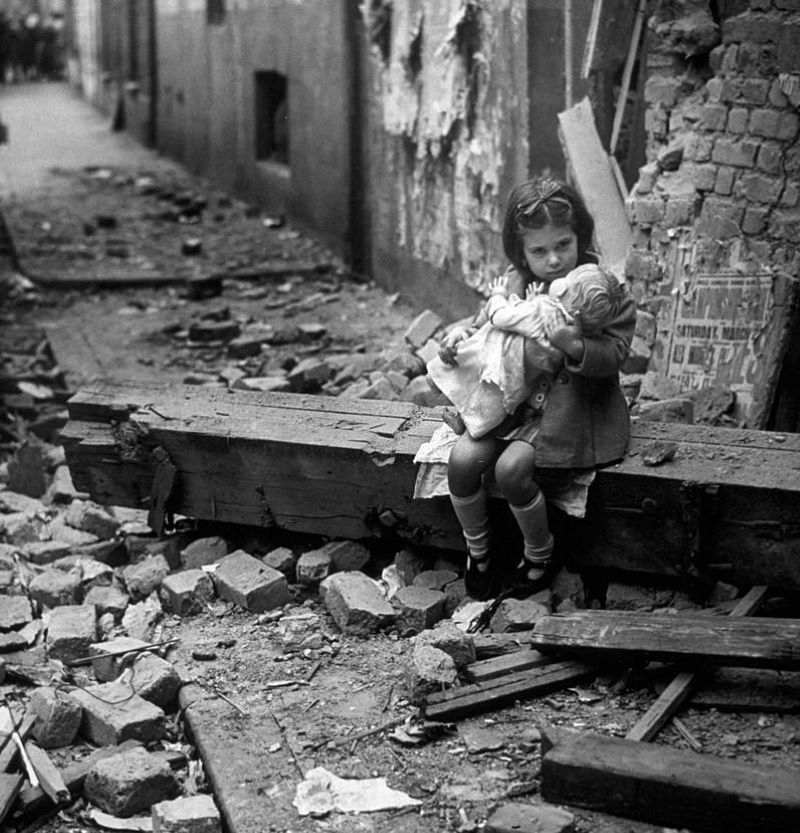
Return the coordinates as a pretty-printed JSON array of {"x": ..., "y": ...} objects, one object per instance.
[{"x": 576, "y": 417}]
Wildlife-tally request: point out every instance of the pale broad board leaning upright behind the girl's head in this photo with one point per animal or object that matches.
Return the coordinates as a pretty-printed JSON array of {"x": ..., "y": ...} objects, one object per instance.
[{"x": 595, "y": 181}]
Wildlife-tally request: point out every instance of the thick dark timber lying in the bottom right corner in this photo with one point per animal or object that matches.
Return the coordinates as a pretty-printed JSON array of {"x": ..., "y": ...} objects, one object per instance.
[{"x": 667, "y": 787}]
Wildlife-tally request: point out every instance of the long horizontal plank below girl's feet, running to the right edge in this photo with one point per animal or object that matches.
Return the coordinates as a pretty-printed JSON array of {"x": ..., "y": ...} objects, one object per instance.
[{"x": 603, "y": 635}]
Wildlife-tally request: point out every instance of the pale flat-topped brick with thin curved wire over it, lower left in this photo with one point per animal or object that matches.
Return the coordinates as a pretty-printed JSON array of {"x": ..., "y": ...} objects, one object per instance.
[{"x": 112, "y": 713}]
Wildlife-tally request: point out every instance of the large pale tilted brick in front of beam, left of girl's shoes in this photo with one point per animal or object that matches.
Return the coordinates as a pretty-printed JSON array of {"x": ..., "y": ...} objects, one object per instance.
[{"x": 356, "y": 603}]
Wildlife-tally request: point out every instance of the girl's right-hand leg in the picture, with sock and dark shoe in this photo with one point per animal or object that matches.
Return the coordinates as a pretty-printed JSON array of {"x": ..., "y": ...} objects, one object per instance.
[{"x": 514, "y": 475}]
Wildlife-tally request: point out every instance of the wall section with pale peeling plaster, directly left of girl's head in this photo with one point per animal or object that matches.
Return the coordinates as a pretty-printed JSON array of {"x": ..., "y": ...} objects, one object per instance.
[{"x": 446, "y": 111}]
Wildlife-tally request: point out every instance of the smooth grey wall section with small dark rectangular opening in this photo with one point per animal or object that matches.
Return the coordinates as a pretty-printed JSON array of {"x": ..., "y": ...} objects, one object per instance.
[{"x": 215, "y": 64}]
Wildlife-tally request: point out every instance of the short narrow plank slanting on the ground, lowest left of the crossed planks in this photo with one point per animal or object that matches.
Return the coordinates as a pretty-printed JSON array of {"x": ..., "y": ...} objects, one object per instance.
[{"x": 478, "y": 698}]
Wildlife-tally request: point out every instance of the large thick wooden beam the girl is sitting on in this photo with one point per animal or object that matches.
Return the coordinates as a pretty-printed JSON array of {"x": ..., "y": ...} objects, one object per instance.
[{"x": 344, "y": 468}]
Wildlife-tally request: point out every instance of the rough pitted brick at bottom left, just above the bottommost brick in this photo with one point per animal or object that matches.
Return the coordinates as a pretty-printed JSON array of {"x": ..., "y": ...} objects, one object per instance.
[{"x": 130, "y": 782}]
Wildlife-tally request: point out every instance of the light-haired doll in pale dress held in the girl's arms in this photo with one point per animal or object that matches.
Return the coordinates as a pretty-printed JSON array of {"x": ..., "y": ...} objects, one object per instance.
[{"x": 486, "y": 382}]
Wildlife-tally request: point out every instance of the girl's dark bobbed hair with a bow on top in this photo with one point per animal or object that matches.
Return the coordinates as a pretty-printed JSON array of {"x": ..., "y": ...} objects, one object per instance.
[{"x": 536, "y": 203}]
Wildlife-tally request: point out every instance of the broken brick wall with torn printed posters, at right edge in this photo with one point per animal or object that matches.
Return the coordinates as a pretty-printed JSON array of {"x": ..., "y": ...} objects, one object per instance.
[{"x": 716, "y": 211}]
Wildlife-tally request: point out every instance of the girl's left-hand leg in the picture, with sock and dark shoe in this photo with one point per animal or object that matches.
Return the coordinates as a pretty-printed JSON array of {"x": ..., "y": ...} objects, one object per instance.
[{"x": 468, "y": 461}]
